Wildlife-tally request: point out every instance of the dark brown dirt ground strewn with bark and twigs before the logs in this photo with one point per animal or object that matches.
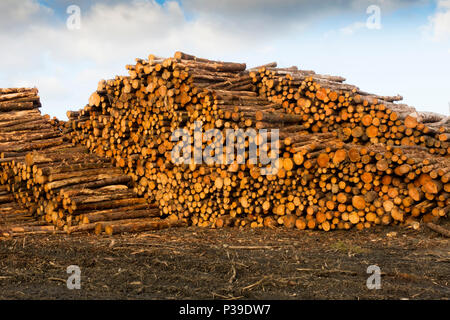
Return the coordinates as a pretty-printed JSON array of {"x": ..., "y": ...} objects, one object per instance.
[{"x": 193, "y": 263}]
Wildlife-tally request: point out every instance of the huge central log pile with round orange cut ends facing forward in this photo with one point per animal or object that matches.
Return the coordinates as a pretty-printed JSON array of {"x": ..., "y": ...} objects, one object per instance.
[{"x": 345, "y": 158}]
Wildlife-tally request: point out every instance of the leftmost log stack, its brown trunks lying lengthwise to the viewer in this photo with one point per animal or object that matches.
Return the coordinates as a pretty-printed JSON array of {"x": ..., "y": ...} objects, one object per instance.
[{"x": 50, "y": 185}]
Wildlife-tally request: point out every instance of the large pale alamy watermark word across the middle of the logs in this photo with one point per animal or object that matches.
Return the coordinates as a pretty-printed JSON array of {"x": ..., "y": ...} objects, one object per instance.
[{"x": 215, "y": 147}]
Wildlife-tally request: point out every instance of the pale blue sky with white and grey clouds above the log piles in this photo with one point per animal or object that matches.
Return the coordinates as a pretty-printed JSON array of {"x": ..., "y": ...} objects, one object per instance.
[{"x": 408, "y": 55}]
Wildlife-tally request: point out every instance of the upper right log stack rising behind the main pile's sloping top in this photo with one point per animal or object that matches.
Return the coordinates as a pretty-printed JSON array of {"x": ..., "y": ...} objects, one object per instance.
[{"x": 326, "y": 104}]
